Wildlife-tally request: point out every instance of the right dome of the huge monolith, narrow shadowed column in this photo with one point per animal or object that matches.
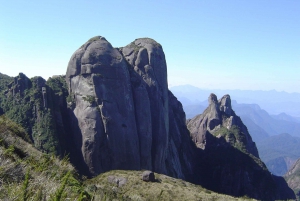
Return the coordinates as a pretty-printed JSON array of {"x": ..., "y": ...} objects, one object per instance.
[{"x": 148, "y": 69}]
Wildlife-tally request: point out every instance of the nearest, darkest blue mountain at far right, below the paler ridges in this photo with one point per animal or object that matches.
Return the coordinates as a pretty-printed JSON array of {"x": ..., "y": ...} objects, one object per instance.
[{"x": 279, "y": 152}]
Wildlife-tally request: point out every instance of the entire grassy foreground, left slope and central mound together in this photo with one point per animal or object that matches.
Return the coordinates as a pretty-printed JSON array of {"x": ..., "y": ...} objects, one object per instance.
[{"x": 28, "y": 174}]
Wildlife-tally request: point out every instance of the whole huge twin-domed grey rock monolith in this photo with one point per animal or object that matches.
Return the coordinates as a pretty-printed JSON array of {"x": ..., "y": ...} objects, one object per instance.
[{"x": 119, "y": 103}]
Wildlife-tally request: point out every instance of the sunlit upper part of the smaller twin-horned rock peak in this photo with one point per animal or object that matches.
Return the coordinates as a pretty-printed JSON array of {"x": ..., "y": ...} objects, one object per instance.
[{"x": 220, "y": 120}]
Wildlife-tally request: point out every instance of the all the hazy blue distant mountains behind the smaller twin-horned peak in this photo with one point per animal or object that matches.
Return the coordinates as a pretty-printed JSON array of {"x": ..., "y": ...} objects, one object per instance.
[{"x": 277, "y": 136}]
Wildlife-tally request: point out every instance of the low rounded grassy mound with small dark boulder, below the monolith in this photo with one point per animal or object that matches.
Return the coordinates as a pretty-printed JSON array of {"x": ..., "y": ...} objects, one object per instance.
[{"x": 165, "y": 188}]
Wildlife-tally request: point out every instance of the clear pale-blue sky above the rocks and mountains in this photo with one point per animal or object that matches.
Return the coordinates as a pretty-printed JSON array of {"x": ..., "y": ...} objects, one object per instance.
[{"x": 212, "y": 44}]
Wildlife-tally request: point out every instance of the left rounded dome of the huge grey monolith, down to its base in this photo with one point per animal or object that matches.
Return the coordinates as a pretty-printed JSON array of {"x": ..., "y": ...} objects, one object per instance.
[{"x": 99, "y": 80}]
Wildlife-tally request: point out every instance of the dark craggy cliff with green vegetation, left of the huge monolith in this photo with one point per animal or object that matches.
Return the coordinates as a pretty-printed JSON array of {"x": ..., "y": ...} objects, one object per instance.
[{"x": 35, "y": 104}]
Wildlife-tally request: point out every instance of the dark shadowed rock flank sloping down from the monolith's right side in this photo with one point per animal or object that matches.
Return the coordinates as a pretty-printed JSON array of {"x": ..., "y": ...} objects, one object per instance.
[{"x": 182, "y": 152}]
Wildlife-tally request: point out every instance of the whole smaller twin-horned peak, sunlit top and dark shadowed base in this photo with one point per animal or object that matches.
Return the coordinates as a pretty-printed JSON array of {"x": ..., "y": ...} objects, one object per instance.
[{"x": 229, "y": 161}]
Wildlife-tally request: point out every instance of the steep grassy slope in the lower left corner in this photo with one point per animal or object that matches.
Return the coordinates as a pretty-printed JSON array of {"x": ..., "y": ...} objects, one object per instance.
[{"x": 45, "y": 174}]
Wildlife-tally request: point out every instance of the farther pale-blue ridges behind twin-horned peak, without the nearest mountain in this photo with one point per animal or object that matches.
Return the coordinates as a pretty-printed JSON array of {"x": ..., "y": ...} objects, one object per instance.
[{"x": 258, "y": 120}]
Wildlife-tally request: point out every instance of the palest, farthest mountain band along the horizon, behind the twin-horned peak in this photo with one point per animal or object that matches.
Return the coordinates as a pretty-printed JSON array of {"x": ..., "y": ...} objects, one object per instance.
[{"x": 273, "y": 102}]
